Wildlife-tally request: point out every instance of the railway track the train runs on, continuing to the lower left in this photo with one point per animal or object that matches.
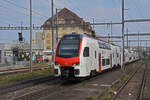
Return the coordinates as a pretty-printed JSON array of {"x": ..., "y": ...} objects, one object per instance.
[{"x": 49, "y": 88}]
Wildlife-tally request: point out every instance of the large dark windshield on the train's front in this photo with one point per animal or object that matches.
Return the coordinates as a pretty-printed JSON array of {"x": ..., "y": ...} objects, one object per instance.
[{"x": 69, "y": 46}]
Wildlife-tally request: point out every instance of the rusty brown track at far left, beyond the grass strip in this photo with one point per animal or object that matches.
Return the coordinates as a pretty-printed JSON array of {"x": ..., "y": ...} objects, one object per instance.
[{"x": 20, "y": 70}]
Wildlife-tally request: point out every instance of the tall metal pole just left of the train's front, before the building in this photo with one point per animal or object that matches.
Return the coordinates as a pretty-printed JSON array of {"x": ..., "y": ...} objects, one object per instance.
[{"x": 52, "y": 10}]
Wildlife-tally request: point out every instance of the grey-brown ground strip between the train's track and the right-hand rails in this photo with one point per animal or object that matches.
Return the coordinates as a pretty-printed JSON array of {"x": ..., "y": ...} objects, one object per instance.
[{"x": 93, "y": 89}]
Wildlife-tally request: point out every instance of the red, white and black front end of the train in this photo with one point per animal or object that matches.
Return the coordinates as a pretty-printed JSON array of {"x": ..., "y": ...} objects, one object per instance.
[{"x": 67, "y": 56}]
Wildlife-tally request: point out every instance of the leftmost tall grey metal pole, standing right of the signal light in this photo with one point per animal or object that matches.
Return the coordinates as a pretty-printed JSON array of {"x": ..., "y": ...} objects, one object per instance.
[{"x": 31, "y": 36}]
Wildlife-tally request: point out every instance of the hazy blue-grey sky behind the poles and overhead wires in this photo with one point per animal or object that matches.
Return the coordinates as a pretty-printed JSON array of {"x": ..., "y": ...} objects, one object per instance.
[{"x": 14, "y": 12}]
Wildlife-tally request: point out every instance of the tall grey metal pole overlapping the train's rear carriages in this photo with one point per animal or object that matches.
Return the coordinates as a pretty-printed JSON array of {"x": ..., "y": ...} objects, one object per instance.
[{"x": 122, "y": 35}]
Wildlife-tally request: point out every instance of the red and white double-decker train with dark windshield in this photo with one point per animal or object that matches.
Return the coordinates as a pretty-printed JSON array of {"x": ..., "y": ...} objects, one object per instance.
[{"x": 79, "y": 55}]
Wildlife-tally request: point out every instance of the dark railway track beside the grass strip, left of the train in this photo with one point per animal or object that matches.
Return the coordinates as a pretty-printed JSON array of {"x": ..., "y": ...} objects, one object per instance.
[{"x": 9, "y": 92}]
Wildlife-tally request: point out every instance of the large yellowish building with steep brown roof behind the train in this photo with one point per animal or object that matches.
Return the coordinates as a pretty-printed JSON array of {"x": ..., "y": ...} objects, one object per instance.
[{"x": 65, "y": 16}]
